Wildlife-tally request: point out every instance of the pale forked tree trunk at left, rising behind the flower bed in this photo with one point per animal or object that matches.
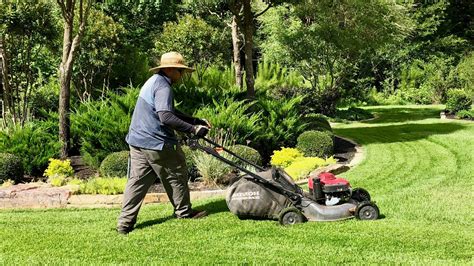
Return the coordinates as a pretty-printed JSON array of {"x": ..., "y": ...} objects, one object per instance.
[{"x": 70, "y": 45}]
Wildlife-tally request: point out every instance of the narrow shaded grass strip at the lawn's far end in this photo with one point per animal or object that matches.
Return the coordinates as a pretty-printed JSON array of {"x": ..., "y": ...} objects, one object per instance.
[{"x": 402, "y": 114}]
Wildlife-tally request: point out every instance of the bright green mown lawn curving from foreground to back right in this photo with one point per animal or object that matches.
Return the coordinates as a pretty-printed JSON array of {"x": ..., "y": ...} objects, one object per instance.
[{"x": 418, "y": 168}]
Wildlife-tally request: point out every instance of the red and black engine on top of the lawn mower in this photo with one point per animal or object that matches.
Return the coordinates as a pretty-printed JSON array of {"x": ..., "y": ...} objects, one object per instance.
[{"x": 330, "y": 190}]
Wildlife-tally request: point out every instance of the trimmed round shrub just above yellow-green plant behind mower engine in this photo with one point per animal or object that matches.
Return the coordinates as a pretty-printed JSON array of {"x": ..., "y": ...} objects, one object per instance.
[{"x": 316, "y": 144}]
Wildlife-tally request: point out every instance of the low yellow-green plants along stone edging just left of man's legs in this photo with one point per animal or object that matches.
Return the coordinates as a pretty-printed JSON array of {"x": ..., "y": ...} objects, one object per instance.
[{"x": 105, "y": 186}]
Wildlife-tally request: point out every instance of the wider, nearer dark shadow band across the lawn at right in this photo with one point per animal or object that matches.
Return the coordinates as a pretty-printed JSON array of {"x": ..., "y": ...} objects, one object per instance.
[{"x": 398, "y": 133}]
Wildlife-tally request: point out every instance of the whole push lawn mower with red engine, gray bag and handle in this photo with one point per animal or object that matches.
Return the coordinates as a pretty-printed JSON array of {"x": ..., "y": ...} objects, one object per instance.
[{"x": 272, "y": 193}]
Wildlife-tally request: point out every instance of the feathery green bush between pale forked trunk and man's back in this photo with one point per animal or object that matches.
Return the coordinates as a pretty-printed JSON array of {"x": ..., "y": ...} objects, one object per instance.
[{"x": 101, "y": 126}]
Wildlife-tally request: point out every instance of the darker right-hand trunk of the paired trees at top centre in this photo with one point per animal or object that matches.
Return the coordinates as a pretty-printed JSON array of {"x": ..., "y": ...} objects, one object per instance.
[{"x": 248, "y": 35}]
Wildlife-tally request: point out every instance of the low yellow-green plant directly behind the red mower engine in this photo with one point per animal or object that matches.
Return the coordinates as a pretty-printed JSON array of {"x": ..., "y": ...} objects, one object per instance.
[{"x": 302, "y": 167}]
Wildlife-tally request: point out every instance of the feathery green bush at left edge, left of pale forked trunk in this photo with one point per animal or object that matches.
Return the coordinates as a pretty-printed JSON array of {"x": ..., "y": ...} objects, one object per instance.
[{"x": 34, "y": 143}]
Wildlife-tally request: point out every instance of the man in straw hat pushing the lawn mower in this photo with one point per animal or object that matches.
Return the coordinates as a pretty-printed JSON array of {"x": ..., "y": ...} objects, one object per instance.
[{"x": 154, "y": 148}]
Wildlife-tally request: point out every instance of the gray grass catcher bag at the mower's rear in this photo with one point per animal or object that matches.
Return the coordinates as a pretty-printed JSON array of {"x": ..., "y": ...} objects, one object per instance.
[{"x": 249, "y": 199}]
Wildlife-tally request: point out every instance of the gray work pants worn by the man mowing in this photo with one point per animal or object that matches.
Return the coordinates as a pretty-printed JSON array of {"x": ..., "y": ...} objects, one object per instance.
[{"x": 146, "y": 165}]
